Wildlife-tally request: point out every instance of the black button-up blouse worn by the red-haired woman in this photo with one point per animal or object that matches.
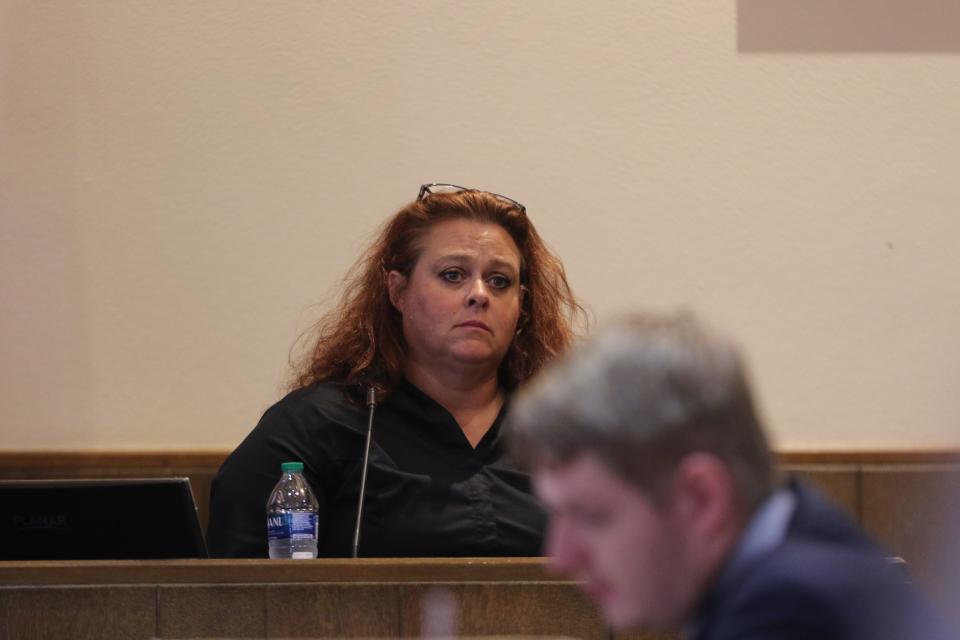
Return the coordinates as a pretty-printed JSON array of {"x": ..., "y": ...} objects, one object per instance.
[{"x": 429, "y": 492}]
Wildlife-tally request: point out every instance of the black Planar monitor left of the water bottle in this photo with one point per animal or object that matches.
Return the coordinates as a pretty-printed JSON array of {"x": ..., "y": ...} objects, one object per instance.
[{"x": 115, "y": 519}]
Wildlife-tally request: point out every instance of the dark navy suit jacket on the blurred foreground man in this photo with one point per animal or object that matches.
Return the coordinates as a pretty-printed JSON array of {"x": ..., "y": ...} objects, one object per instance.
[{"x": 827, "y": 581}]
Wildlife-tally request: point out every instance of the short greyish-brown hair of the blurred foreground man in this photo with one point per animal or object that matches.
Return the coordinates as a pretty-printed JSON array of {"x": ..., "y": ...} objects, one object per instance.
[{"x": 644, "y": 394}]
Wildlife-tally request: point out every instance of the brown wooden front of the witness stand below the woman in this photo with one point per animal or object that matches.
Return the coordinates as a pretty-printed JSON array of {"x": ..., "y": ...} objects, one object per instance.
[{"x": 338, "y": 598}]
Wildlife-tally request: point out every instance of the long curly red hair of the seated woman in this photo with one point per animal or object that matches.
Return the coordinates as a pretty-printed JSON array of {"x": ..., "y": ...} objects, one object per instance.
[{"x": 360, "y": 341}]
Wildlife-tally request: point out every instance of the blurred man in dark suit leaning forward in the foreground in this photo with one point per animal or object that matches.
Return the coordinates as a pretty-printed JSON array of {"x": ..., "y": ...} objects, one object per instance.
[{"x": 664, "y": 501}]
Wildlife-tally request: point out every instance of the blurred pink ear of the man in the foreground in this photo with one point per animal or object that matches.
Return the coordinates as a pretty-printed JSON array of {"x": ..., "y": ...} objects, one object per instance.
[{"x": 704, "y": 495}]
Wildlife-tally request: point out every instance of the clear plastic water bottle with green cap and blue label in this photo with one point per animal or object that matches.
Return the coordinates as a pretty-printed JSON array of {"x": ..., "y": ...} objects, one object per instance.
[{"x": 292, "y": 516}]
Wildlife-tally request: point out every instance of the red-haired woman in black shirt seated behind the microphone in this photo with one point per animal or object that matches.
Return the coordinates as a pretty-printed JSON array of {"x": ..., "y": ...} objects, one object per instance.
[{"x": 457, "y": 303}]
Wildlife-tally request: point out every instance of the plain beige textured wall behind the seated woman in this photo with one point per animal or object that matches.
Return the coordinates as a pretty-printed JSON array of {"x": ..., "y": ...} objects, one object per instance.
[{"x": 181, "y": 181}]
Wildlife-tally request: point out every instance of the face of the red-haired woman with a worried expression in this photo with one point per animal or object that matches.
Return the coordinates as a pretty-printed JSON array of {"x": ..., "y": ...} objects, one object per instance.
[{"x": 461, "y": 302}]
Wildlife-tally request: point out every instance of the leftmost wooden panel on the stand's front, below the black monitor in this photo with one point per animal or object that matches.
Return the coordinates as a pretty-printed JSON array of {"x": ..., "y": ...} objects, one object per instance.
[{"x": 78, "y": 612}]
